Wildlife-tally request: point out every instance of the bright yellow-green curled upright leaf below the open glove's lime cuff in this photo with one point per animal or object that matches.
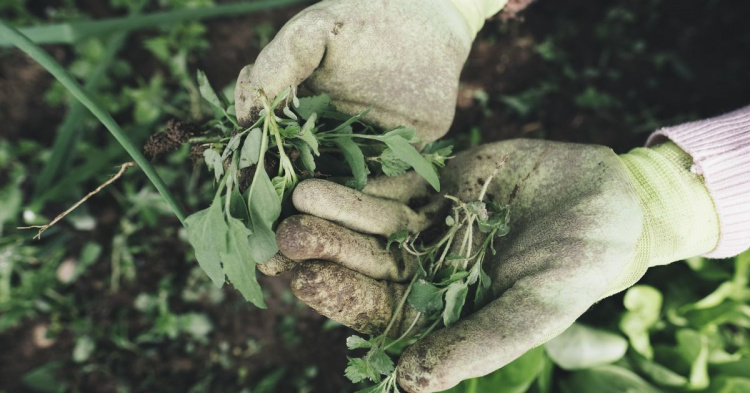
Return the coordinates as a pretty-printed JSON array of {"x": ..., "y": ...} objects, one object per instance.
[{"x": 644, "y": 305}]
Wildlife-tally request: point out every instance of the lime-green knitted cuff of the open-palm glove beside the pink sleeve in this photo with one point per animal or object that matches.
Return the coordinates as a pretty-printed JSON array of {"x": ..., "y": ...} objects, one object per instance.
[{"x": 680, "y": 217}]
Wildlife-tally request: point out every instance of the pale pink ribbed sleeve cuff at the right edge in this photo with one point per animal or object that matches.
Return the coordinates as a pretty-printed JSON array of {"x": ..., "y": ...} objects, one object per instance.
[{"x": 720, "y": 148}]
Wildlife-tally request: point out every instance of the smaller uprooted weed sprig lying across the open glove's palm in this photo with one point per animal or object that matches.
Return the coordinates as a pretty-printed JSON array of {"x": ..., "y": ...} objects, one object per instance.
[{"x": 448, "y": 271}]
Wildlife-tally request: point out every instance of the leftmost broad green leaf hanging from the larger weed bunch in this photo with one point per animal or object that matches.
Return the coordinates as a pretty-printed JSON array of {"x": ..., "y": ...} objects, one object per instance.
[{"x": 207, "y": 234}]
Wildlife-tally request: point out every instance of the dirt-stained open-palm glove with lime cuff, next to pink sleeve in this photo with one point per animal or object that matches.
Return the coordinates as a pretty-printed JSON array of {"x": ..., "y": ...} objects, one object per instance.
[{"x": 584, "y": 224}]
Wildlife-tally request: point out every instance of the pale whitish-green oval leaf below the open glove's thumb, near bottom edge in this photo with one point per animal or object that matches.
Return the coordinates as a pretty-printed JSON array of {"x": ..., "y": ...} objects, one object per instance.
[{"x": 580, "y": 347}]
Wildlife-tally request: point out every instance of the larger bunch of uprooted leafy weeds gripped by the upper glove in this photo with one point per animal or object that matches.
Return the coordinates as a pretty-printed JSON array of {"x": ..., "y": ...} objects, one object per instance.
[{"x": 293, "y": 138}]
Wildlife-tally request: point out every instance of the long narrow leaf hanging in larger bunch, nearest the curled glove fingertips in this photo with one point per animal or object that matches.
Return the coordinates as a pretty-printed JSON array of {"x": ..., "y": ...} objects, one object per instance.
[{"x": 265, "y": 207}]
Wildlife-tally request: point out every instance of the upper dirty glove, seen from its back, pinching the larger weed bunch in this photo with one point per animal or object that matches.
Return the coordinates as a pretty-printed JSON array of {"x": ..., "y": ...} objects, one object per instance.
[{"x": 404, "y": 57}]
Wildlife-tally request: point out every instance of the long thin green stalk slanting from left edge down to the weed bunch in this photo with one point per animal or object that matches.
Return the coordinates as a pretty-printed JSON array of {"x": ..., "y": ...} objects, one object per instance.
[{"x": 54, "y": 68}]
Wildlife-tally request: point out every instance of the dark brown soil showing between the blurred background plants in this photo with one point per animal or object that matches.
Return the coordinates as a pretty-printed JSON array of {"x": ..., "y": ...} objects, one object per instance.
[{"x": 652, "y": 89}]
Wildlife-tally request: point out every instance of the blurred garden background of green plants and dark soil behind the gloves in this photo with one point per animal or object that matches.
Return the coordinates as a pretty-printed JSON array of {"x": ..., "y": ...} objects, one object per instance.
[{"x": 111, "y": 299}]
